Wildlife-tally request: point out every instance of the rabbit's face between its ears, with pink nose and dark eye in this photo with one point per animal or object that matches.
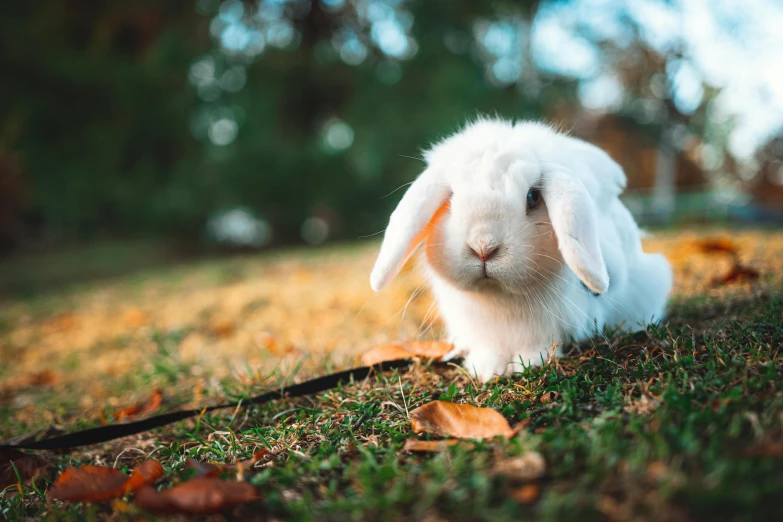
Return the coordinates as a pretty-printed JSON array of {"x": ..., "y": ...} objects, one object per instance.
[{"x": 496, "y": 236}]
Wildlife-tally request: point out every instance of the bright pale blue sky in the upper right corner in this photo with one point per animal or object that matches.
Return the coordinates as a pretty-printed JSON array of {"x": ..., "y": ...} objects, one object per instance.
[{"x": 734, "y": 45}]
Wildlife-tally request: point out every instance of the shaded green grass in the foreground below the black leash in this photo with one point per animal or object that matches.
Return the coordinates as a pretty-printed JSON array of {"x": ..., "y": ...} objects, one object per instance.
[{"x": 681, "y": 420}]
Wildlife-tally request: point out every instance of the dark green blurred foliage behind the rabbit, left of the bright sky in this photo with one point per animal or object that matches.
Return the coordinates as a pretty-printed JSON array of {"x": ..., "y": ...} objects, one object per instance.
[{"x": 98, "y": 108}]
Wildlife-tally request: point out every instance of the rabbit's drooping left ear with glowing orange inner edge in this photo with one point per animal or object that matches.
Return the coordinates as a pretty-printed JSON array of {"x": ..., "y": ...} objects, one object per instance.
[{"x": 425, "y": 201}]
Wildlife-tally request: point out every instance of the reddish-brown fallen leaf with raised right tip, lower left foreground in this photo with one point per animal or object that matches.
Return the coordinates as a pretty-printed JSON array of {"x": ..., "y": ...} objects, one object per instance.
[{"x": 98, "y": 483}]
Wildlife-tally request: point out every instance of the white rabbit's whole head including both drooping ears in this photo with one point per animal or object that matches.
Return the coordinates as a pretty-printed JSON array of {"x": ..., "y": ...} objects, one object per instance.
[{"x": 502, "y": 207}]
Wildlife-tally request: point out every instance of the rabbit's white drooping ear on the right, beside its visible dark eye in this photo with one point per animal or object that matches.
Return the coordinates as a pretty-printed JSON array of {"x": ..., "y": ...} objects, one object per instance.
[{"x": 574, "y": 219}]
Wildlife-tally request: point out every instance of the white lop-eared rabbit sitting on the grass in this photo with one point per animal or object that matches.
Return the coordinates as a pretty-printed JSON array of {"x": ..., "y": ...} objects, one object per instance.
[{"x": 527, "y": 245}]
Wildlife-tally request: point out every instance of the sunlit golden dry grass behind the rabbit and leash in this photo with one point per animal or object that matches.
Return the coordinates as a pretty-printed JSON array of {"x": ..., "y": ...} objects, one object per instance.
[{"x": 242, "y": 318}]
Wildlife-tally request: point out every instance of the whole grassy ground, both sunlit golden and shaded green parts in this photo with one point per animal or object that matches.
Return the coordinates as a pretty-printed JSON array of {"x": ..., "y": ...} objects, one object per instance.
[{"x": 681, "y": 422}]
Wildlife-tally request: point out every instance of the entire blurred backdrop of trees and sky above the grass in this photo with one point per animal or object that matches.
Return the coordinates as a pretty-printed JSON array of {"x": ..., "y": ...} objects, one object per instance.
[{"x": 137, "y": 133}]
